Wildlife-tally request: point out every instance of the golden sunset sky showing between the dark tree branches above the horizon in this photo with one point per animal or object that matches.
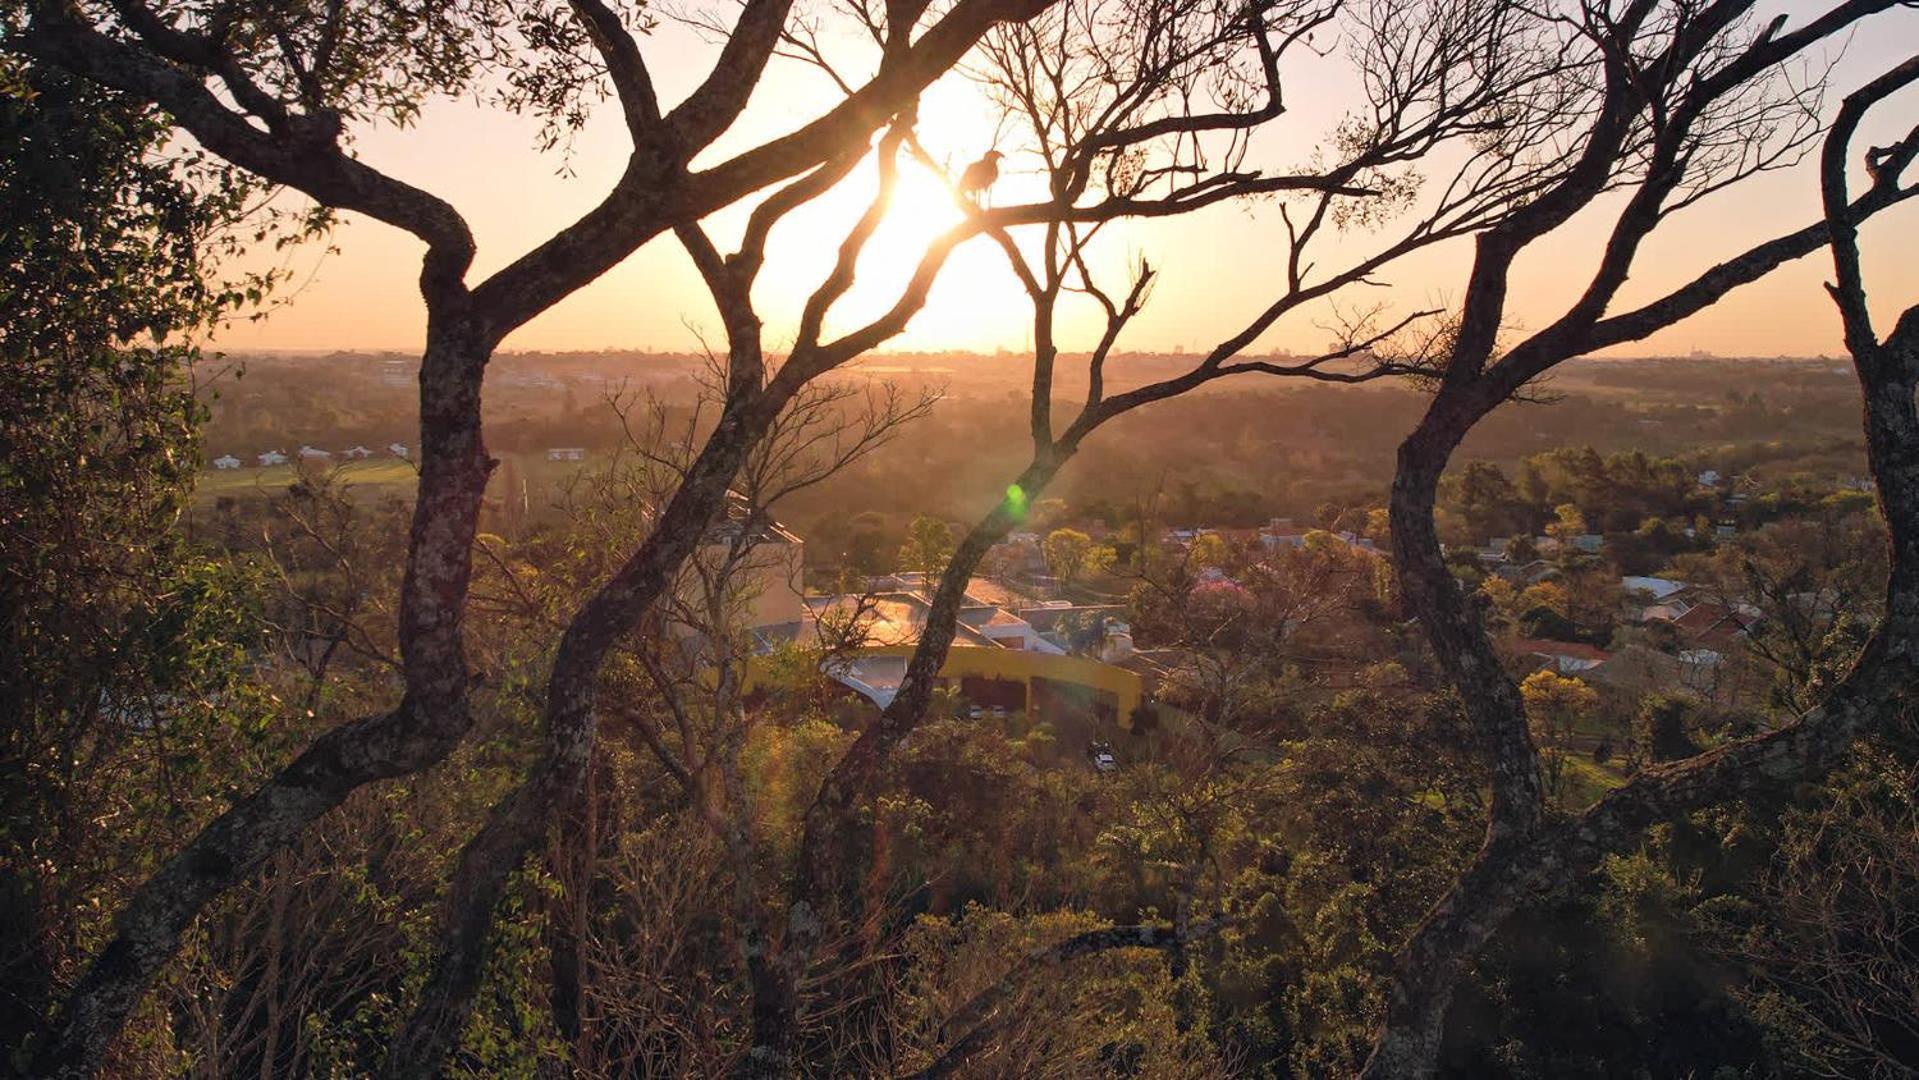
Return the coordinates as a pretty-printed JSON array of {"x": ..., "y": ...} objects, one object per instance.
[{"x": 1218, "y": 268}]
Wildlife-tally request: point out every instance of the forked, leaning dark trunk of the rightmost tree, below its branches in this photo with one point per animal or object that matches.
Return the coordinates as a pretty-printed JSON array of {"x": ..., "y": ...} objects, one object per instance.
[{"x": 1517, "y": 866}]
